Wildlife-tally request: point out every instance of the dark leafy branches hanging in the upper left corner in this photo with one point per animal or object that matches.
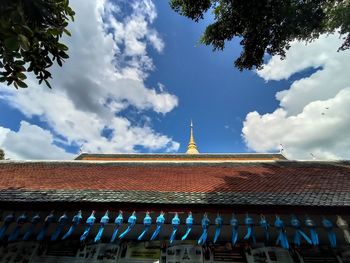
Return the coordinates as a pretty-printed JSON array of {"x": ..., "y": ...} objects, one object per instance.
[{"x": 30, "y": 31}]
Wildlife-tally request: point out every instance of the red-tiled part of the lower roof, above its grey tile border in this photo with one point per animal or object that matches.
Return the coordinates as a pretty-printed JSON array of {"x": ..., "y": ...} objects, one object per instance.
[{"x": 285, "y": 177}]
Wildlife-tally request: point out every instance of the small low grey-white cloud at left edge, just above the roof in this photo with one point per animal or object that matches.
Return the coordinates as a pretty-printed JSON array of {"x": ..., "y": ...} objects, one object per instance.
[{"x": 31, "y": 142}]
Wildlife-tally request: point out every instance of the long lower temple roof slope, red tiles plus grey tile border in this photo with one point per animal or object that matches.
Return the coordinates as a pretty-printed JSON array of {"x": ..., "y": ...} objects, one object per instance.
[{"x": 239, "y": 183}]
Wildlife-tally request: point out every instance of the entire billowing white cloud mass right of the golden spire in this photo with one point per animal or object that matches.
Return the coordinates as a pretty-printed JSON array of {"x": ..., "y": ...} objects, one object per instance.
[{"x": 314, "y": 113}]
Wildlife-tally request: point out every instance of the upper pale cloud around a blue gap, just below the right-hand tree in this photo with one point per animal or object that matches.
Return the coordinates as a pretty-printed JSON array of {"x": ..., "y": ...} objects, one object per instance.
[{"x": 322, "y": 85}]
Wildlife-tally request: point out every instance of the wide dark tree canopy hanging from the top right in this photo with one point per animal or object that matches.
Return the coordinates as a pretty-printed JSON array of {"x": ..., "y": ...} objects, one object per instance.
[{"x": 267, "y": 26}]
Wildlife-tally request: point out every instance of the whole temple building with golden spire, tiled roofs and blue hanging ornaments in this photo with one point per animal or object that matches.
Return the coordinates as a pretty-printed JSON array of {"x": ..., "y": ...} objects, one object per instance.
[{"x": 170, "y": 208}]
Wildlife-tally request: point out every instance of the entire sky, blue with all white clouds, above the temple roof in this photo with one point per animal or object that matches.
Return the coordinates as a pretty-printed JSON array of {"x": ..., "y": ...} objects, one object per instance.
[{"x": 137, "y": 75}]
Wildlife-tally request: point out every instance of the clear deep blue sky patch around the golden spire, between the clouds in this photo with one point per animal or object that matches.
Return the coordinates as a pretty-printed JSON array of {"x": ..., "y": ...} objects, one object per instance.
[{"x": 211, "y": 91}]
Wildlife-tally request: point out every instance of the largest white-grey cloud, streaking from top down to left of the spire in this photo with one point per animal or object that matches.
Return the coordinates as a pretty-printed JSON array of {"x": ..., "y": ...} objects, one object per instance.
[{"x": 104, "y": 75}]
